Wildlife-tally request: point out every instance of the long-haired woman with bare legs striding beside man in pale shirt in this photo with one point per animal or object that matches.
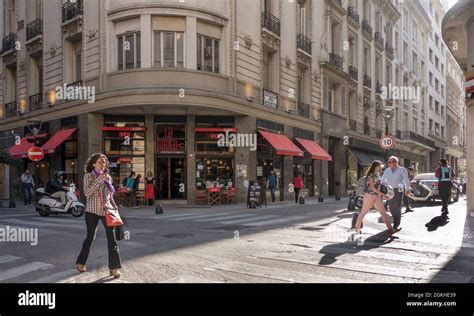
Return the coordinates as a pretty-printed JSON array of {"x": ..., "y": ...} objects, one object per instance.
[{"x": 373, "y": 197}]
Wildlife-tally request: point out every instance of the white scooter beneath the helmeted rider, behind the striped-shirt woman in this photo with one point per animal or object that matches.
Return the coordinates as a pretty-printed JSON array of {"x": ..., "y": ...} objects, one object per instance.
[{"x": 49, "y": 205}]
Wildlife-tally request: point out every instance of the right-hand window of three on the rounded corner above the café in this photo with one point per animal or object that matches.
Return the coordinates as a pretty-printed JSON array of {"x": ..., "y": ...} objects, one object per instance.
[{"x": 207, "y": 54}]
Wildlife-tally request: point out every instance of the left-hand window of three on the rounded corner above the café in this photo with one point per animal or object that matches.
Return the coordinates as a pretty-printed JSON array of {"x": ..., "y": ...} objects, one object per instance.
[{"x": 129, "y": 51}]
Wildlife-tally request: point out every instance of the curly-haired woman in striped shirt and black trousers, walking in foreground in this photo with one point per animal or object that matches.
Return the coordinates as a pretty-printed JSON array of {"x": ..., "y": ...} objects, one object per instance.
[{"x": 99, "y": 191}]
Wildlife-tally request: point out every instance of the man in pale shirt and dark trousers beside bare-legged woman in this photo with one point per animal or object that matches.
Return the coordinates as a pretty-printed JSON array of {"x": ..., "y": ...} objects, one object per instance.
[{"x": 396, "y": 177}]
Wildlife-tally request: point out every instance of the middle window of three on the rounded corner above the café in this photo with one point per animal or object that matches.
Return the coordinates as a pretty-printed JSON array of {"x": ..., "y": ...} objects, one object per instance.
[{"x": 169, "y": 49}]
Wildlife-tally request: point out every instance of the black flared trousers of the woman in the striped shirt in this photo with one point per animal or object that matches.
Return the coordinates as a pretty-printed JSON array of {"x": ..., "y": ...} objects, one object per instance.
[{"x": 92, "y": 220}]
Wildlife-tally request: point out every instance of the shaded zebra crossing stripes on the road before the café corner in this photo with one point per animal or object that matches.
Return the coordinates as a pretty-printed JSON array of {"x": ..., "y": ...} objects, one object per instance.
[{"x": 244, "y": 219}]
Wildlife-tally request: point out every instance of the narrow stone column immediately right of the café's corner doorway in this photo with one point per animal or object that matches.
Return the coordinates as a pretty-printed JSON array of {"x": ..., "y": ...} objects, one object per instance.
[{"x": 191, "y": 159}]
